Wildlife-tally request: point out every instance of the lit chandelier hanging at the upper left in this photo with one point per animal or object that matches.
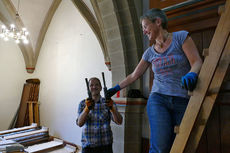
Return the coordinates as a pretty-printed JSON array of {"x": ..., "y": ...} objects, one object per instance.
[{"x": 11, "y": 32}]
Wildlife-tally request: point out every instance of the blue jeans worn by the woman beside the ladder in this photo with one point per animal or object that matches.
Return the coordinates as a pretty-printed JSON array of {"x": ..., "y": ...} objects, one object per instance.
[{"x": 164, "y": 112}]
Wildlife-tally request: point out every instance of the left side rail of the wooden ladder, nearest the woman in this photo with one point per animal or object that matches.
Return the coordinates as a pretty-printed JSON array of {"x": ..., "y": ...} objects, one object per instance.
[{"x": 206, "y": 74}]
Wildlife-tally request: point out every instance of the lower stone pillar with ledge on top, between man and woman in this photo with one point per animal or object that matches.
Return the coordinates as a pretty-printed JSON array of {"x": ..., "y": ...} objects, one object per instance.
[{"x": 127, "y": 137}]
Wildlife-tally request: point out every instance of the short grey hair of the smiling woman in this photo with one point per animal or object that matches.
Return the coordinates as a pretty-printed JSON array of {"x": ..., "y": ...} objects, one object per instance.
[{"x": 155, "y": 13}]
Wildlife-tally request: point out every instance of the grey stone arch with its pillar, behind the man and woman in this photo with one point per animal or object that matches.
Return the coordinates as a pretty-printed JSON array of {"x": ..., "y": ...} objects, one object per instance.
[{"x": 119, "y": 34}]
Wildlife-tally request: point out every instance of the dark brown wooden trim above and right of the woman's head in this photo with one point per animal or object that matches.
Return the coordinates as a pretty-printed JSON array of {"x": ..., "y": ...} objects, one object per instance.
[{"x": 191, "y": 15}]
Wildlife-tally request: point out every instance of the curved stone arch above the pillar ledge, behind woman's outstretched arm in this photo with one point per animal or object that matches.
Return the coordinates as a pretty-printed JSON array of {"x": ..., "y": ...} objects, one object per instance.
[{"x": 117, "y": 29}]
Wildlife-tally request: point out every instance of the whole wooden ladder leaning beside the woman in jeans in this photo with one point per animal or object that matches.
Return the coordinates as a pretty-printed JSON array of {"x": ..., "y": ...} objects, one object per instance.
[{"x": 211, "y": 77}]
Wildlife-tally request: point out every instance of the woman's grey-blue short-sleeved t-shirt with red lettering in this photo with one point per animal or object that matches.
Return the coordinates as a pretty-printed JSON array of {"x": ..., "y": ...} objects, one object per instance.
[{"x": 169, "y": 67}]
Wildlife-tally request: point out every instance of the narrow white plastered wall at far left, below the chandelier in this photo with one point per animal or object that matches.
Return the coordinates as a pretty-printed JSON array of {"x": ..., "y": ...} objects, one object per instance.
[{"x": 12, "y": 74}]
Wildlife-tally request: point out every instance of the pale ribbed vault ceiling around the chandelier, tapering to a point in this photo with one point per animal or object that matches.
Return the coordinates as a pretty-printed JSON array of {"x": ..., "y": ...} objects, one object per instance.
[{"x": 35, "y": 15}]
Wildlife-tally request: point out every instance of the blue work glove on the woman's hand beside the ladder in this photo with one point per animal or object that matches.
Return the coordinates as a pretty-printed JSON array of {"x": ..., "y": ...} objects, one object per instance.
[{"x": 189, "y": 81}]
